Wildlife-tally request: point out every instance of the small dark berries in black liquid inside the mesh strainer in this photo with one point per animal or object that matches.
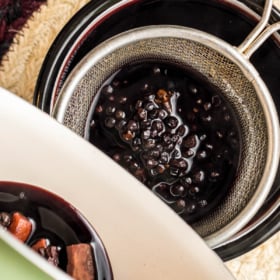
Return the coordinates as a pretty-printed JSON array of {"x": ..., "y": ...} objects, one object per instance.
[{"x": 172, "y": 130}]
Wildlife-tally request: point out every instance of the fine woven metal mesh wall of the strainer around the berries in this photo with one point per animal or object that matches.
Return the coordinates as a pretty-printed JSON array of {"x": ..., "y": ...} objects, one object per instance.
[{"x": 219, "y": 70}]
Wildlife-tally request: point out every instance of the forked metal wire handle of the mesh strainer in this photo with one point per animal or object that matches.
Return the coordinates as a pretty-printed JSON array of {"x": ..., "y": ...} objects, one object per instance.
[{"x": 260, "y": 33}]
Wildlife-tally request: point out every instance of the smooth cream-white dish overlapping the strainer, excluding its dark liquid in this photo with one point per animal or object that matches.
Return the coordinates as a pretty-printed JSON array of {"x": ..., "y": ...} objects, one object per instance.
[{"x": 143, "y": 237}]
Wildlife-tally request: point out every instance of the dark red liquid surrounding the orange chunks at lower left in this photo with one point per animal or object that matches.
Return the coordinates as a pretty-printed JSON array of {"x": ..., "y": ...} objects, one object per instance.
[{"x": 55, "y": 220}]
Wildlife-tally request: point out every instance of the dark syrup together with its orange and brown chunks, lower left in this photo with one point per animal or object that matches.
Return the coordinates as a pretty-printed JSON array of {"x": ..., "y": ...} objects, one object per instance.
[{"x": 57, "y": 228}]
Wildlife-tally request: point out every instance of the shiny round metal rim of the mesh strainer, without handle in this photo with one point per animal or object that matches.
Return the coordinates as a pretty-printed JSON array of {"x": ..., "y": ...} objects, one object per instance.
[{"x": 232, "y": 54}]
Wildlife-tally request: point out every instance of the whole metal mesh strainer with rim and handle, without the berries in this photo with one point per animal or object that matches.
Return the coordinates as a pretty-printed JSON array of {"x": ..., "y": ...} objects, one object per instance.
[{"x": 224, "y": 66}]
